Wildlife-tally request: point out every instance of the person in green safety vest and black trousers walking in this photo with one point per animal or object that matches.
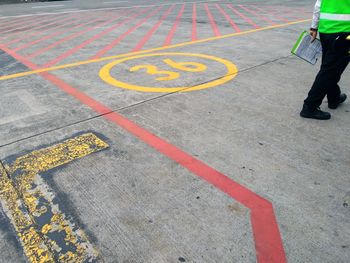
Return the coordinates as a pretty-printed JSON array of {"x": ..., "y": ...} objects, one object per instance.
[{"x": 332, "y": 20}]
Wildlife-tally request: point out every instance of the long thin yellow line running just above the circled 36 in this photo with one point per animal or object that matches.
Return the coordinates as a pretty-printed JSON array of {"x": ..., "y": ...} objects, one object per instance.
[{"x": 85, "y": 62}]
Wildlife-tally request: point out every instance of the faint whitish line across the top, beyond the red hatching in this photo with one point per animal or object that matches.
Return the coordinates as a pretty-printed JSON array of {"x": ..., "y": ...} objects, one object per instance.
[{"x": 109, "y": 8}]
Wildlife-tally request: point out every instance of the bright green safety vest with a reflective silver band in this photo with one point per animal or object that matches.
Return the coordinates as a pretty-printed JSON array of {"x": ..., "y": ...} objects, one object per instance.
[{"x": 335, "y": 16}]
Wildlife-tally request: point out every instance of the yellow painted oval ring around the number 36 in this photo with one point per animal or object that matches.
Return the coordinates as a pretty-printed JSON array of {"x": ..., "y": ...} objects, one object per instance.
[{"x": 105, "y": 74}]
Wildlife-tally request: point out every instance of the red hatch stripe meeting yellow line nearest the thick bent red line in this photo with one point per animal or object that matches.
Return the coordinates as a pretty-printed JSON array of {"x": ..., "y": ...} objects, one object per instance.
[{"x": 87, "y": 42}]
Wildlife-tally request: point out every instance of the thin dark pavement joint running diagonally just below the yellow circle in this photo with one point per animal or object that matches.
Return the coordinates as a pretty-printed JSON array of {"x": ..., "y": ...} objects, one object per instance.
[{"x": 130, "y": 106}]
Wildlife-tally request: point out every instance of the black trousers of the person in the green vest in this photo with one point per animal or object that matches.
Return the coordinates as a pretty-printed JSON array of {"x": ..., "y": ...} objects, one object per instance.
[{"x": 335, "y": 58}]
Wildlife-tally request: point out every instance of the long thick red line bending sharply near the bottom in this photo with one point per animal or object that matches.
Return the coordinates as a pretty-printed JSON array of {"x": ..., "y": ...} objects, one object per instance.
[{"x": 268, "y": 242}]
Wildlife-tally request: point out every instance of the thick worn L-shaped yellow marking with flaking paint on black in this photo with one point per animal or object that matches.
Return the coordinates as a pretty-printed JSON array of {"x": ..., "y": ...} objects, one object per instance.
[{"x": 47, "y": 234}]
